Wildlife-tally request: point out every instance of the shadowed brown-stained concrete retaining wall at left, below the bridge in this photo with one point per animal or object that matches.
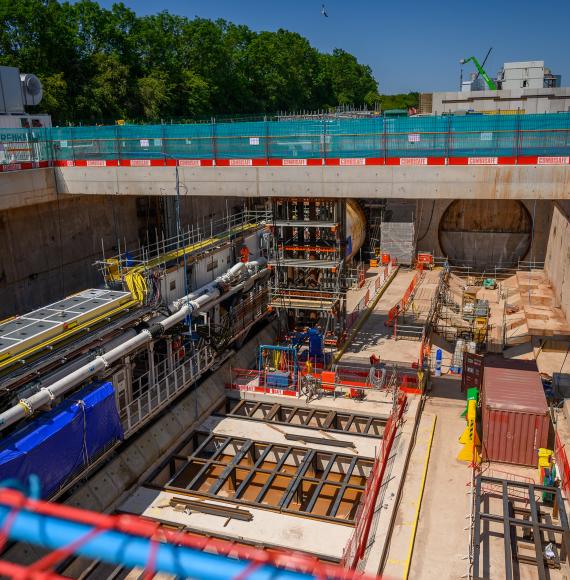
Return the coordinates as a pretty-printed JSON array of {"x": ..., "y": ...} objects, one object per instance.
[{"x": 48, "y": 249}]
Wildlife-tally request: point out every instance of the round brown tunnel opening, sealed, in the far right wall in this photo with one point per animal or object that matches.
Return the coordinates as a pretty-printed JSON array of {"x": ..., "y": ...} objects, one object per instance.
[{"x": 485, "y": 233}]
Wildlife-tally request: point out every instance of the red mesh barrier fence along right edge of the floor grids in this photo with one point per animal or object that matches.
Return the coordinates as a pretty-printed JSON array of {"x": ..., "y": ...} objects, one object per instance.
[{"x": 358, "y": 542}]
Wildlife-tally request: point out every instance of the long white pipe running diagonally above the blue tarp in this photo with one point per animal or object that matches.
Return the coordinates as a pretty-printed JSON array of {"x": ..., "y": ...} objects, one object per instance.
[{"x": 184, "y": 307}]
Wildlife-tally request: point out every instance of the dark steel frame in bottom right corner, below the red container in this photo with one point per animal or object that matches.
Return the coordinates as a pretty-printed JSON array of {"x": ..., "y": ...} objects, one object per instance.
[{"x": 536, "y": 525}]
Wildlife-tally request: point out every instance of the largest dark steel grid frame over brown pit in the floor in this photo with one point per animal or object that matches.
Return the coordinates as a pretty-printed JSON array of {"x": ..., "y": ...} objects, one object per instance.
[{"x": 214, "y": 466}]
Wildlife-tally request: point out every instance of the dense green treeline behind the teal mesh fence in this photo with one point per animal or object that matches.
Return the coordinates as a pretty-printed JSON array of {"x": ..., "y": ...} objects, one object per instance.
[{"x": 97, "y": 64}]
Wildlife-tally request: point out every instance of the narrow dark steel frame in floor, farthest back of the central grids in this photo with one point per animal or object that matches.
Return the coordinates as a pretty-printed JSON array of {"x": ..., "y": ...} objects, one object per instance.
[{"x": 316, "y": 419}]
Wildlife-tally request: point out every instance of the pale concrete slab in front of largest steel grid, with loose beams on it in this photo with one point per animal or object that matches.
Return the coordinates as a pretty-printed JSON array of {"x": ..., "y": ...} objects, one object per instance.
[{"x": 267, "y": 528}]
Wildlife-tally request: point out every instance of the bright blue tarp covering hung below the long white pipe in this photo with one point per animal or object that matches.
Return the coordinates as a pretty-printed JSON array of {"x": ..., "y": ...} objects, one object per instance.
[{"x": 62, "y": 441}]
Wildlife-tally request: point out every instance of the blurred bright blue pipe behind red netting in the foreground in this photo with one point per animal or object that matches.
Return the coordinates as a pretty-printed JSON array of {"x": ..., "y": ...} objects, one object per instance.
[{"x": 132, "y": 551}]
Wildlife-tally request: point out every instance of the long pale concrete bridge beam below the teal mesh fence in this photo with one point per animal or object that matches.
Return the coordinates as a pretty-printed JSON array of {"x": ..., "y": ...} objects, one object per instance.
[{"x": 549, "y": 182}]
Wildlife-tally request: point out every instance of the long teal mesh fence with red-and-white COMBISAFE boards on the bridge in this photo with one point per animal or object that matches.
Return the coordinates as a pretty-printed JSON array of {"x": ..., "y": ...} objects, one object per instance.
[{"x": 437, "y": 140}]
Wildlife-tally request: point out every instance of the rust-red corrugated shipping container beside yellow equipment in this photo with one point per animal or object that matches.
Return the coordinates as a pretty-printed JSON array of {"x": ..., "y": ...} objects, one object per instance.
[{"x": 516, "y": 422}]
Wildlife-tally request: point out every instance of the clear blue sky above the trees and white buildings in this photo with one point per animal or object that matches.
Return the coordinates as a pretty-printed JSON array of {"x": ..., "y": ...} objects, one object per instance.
[{"x": 414, "y": 45}]
